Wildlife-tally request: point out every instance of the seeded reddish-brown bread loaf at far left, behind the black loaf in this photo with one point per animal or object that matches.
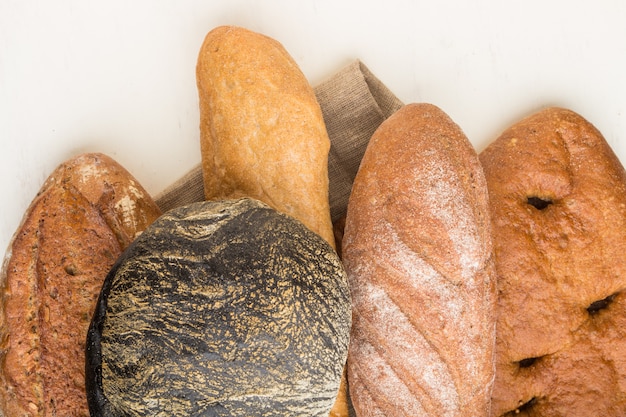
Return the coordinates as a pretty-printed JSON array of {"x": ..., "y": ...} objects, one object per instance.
[{"x": 86, "y": 213}]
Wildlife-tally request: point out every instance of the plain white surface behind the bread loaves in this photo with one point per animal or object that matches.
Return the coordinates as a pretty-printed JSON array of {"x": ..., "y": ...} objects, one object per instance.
[{"x": 118, "y": 76}]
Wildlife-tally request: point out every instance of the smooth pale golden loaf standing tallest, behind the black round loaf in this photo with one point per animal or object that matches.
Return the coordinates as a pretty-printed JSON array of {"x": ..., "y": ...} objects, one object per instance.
[{"x": 262, "y": 133}]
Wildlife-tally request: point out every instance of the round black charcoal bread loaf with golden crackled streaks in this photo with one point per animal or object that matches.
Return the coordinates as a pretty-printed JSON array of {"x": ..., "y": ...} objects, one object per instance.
[{"x": 223, "y": 309}]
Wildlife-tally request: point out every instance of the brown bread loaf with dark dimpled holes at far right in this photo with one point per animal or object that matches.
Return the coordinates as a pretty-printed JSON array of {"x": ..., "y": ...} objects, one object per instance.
[{"x": 558, "y": 204}]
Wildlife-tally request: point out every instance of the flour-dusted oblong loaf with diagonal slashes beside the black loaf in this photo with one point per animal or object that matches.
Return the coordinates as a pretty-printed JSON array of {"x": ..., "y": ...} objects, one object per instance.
[{"x": 417, "y": 250}]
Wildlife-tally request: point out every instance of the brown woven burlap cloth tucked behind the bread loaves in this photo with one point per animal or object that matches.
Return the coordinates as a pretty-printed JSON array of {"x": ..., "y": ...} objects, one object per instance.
[{"x": 354, "y": 103}]
